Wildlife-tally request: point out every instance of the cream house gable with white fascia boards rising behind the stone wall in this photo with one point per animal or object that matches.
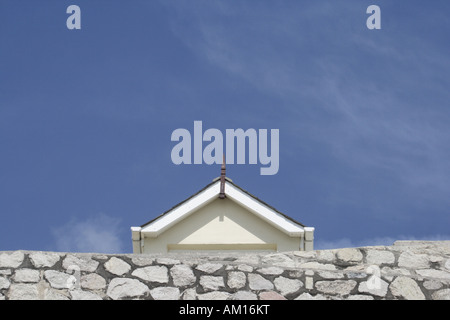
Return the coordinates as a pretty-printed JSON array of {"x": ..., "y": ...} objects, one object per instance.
[{"x": 205, "y": 221}]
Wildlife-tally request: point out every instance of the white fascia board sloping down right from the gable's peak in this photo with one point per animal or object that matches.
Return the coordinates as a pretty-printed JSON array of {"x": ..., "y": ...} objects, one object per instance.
[{"x": 267, "y": 214}]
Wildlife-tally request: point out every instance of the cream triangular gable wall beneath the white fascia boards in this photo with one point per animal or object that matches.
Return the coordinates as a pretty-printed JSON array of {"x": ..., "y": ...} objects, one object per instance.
[{"x": 222, "y": 225}]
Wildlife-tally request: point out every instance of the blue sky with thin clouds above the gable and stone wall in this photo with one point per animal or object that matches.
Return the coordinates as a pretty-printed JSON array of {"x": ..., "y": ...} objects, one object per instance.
[{"x": 86, "y": 115}]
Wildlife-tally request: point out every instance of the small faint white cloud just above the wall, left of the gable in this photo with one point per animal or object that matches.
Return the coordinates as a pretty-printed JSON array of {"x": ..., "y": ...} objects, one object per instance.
[{"x": 100, "y": 234}]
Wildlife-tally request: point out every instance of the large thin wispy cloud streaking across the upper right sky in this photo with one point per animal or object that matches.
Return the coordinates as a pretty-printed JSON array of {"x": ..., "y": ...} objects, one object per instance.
[{"x": 359, "y": 94}]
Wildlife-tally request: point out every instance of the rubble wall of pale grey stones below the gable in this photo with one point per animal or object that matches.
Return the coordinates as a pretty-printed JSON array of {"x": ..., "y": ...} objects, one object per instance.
[{"x": 406, "y": 270}]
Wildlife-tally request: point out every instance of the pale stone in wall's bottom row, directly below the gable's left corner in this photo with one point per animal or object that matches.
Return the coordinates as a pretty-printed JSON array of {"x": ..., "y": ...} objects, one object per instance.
[{"x": 122, "y": 288}]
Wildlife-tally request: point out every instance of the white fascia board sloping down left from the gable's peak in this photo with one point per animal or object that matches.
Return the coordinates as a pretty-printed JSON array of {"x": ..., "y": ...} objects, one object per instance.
[{"x": 184, "y": 210}]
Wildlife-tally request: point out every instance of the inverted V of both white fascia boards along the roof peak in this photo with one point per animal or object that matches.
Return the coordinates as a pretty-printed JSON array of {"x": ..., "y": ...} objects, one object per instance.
[{"x": 233, "y": 192}]
